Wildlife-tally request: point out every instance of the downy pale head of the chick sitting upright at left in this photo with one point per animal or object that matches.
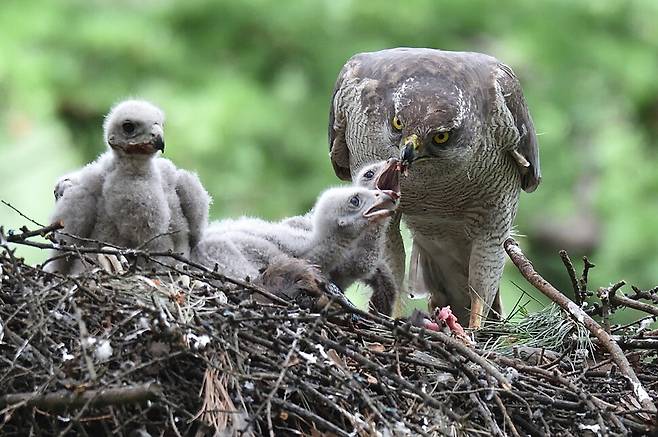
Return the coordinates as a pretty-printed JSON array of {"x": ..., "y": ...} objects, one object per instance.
[{"x": 135, "y": 127}]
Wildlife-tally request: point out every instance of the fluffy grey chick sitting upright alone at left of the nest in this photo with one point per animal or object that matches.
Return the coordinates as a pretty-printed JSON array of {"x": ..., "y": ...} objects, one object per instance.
[{"x": 129, "y": 196}]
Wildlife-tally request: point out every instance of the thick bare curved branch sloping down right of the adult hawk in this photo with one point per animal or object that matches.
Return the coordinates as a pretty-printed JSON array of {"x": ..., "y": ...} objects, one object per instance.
[{"x": 617, "y": 355}]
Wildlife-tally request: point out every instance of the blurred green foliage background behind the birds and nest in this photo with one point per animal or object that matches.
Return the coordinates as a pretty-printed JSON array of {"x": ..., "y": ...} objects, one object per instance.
[{"x": 246, "y": 87}]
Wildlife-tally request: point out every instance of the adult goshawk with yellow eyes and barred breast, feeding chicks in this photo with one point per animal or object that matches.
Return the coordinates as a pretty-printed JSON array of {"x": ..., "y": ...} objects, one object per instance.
[{"x": 461, "y": 123}]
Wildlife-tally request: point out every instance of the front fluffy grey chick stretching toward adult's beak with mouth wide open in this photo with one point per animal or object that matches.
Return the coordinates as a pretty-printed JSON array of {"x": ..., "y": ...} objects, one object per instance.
[{"x": 340, "y": 217}]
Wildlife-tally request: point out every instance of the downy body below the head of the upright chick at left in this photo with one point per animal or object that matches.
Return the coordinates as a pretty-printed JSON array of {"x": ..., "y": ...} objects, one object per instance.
[{"x": 146, "y": 203}]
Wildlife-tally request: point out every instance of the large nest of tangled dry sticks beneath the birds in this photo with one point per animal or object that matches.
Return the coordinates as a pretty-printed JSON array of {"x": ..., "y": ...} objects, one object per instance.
[{"x": 180, "y": 351}]
